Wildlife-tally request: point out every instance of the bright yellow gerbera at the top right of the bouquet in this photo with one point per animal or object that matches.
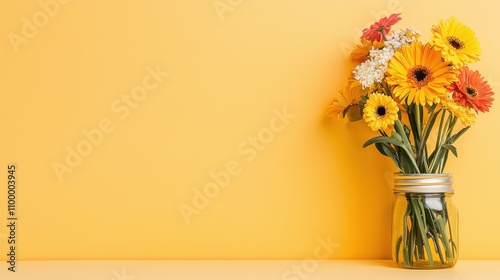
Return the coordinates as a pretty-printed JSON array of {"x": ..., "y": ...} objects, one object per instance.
[{"x": 455, "y": 42}]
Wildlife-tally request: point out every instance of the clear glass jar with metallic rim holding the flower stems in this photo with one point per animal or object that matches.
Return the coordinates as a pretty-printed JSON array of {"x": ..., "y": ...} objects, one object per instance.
[{"x": 424, "y": 221}]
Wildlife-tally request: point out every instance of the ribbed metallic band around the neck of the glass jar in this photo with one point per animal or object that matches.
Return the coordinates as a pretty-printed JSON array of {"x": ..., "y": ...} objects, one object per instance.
[{"x": 423, "y": 183}]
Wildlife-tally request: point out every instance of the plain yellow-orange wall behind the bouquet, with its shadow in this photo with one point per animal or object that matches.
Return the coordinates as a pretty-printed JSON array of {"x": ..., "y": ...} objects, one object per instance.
[{"x": 170, "y": 92}]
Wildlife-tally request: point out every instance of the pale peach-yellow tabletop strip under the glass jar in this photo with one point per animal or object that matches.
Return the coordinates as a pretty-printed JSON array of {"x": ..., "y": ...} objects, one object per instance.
[{"x": 244, "y": 270}]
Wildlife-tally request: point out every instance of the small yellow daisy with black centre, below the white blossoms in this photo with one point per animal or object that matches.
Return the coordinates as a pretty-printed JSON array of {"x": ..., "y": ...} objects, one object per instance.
[{"x": 380, "y": 112}]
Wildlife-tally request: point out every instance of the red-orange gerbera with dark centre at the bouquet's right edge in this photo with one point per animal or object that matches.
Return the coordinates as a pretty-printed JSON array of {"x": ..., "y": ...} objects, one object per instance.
[{"x": 472, "y": 91}]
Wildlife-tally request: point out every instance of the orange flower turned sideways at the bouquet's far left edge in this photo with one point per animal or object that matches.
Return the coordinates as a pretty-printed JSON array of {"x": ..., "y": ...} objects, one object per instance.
[{"x": 345, "y": 102}]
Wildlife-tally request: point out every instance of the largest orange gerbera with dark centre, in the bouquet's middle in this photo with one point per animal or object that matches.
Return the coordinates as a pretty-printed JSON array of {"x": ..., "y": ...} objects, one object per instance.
[{"x": 419, "y": 75}]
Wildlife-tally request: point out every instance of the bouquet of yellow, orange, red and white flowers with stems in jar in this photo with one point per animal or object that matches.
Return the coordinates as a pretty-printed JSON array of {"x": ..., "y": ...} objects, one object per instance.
[{"x": 421, "y": 98}]
